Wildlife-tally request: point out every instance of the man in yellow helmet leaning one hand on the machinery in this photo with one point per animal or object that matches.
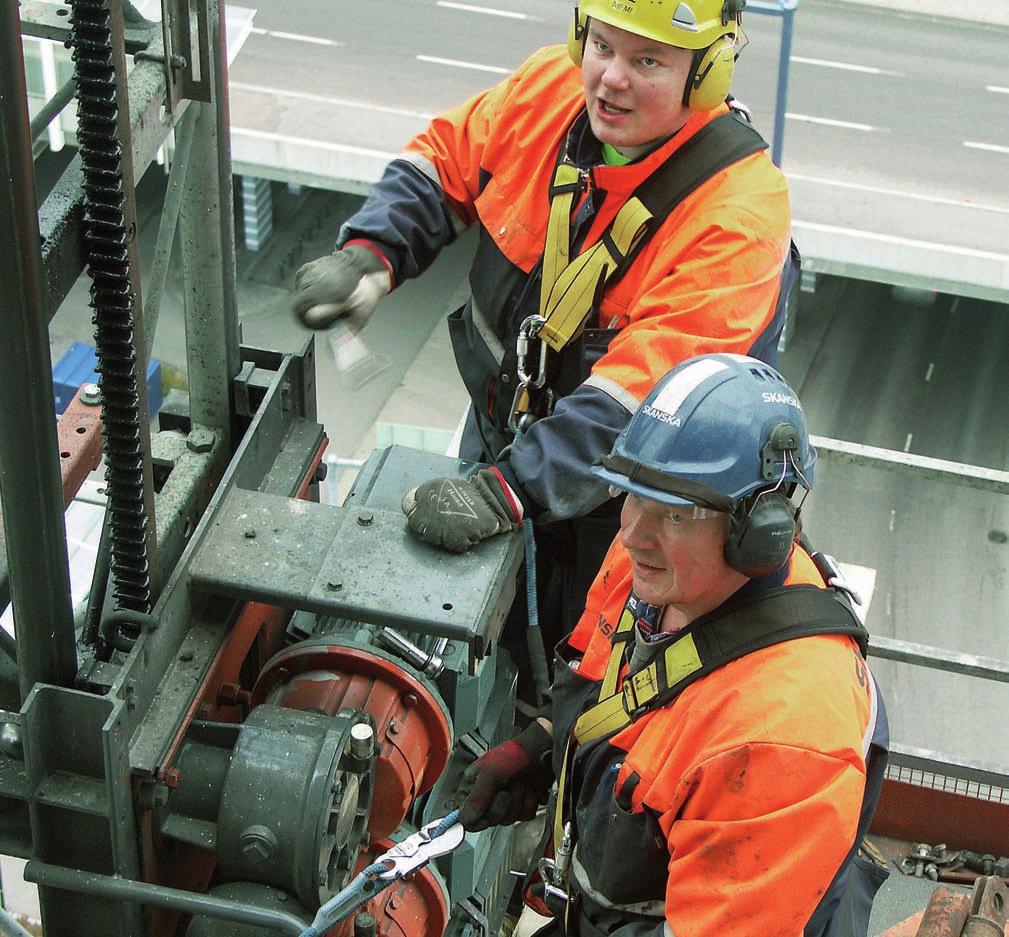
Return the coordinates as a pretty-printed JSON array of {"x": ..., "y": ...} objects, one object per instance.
[{"x": 620, "y": 235}]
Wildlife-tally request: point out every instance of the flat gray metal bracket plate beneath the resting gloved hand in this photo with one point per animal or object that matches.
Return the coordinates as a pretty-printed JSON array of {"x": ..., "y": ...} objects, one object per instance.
[{"x": 359, "y": 562}]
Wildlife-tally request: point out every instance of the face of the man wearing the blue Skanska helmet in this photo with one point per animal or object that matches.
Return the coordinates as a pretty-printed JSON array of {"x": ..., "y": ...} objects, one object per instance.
[{"x": 679, "y": 559}]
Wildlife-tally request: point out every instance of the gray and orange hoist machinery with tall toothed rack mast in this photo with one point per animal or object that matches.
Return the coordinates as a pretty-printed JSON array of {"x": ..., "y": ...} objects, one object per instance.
[{"x": 265, "y": 693}]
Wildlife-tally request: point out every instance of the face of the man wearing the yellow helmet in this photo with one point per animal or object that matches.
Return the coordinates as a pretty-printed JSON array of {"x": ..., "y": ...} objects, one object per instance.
[{"x": 634, "y": 88}]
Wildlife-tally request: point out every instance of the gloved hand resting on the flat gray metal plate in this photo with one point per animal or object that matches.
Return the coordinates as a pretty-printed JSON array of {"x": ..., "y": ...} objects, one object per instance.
[{"x": 458, "y": 513}]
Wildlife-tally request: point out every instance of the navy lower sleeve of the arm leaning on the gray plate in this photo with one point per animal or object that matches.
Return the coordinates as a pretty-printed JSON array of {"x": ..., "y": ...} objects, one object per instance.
[{"x": 550, "y": 467}]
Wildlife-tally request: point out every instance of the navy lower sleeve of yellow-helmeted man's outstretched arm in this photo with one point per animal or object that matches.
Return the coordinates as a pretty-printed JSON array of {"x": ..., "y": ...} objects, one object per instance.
[{"x": 407, "y": 216}]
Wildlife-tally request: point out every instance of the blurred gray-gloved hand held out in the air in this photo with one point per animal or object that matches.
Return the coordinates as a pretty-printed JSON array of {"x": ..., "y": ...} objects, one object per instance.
[{"x": 347, "y": 283}]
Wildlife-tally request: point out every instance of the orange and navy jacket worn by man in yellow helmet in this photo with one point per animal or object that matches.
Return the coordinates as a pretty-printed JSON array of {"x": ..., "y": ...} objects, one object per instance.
[{"x": 707, "y": 281}]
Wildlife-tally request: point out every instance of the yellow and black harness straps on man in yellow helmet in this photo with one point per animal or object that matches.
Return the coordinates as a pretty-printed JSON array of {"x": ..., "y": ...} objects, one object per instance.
[{"x": 570, "y": 291}]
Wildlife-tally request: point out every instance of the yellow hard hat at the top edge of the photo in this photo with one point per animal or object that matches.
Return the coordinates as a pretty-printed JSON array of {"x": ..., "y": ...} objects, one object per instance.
[{"x": 686, "y": 24}]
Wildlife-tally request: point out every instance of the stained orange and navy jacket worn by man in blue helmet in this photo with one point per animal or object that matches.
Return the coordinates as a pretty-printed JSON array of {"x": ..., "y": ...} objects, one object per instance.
[{"x": 735, "y": 809}]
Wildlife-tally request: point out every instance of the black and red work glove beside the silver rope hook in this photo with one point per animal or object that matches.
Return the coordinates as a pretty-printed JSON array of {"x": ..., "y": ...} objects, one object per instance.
[{"x": 508, "y": 783}]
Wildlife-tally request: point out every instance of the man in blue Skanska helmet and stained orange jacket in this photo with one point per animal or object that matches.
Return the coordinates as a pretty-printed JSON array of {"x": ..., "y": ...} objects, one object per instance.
[{"x": 718, "y": 740}]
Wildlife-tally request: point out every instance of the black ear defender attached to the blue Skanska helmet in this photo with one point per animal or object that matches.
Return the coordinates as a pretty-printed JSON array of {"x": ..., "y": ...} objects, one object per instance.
[{"x": 763, "y": 526}]
